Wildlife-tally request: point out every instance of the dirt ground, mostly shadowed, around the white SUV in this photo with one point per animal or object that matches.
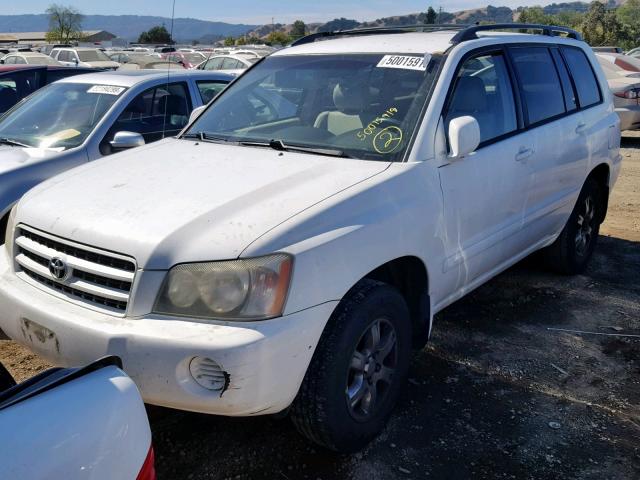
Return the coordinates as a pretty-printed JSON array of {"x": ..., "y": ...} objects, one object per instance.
[{"x": 531, "y": 376}]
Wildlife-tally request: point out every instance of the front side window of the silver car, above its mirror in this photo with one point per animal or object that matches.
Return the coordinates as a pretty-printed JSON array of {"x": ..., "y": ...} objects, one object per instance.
[{"x": 156, "y": 113}]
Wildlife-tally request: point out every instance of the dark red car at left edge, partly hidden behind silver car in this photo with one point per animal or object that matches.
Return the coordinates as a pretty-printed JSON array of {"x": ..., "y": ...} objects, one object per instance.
[{"x": 20, "y": 81}]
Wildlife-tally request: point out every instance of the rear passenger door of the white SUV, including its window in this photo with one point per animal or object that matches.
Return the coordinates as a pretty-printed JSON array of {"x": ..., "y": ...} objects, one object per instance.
[{"x": 555, "y": 122}]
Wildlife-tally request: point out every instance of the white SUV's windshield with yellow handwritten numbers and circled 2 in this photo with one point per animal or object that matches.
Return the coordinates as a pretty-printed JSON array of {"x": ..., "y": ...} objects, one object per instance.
[{"x": 366, "y": 106}]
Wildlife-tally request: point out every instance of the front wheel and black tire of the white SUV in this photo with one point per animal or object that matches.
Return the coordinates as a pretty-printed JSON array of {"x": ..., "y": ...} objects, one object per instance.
[{"x": 321, "y": 411}]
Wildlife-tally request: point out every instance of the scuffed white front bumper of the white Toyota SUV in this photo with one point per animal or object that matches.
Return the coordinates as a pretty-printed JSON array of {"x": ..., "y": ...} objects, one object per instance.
[{"x": 265, "y": 361}]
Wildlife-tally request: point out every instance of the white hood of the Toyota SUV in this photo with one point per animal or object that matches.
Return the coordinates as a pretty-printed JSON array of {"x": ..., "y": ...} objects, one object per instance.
[{"x": 181, "y": 201}]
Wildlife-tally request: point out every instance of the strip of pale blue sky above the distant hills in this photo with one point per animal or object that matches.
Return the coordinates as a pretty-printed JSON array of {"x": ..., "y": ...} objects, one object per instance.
[{"x": 258, "y": 11}]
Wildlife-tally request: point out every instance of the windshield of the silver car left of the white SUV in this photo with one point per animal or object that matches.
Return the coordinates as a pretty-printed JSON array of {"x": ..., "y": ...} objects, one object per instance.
[{"x": 61, "y": 115}]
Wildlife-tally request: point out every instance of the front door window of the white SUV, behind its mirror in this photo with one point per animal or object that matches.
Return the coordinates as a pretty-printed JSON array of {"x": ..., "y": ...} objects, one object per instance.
[{"x": 483, "y": 91}]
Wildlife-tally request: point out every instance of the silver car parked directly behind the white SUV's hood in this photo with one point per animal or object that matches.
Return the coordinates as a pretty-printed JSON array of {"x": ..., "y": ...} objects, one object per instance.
[{"x": 86, "y": 117}]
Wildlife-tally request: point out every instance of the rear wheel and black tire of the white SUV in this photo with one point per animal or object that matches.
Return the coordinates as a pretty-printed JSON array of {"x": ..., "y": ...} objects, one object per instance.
[{"x": 568, "y": 255}]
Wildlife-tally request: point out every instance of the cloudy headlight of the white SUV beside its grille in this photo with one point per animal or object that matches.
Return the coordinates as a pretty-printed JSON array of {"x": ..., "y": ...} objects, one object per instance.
[{"x": 253, "y": 289}]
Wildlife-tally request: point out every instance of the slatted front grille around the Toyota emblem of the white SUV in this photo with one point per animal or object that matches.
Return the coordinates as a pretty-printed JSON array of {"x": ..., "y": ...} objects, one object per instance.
[{"x": 98, "y": 279}]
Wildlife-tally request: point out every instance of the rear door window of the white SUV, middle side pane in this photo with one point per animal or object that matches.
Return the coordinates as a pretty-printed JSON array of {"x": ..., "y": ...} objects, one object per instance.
[{"x": 541, "y": 87}]
